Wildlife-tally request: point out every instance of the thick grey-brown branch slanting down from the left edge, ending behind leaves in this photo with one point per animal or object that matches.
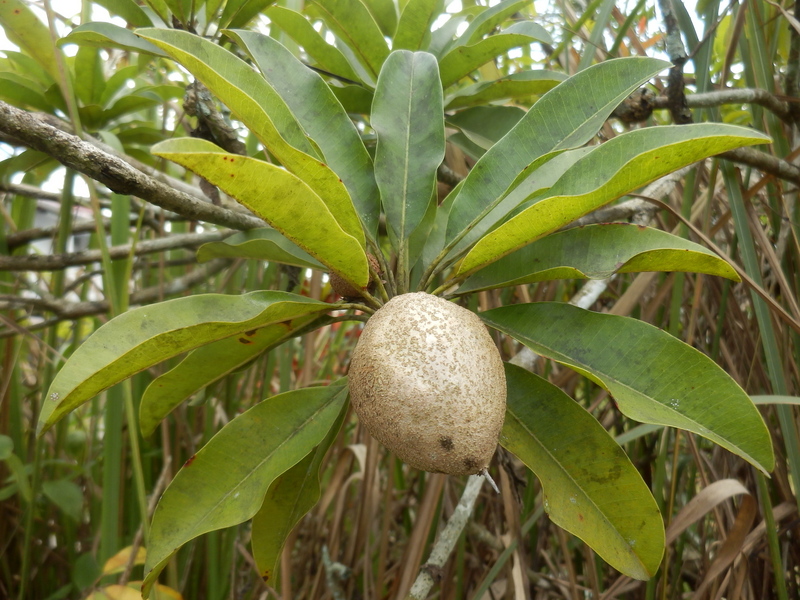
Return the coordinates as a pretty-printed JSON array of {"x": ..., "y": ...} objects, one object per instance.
[{"x": 113, "y": 172}]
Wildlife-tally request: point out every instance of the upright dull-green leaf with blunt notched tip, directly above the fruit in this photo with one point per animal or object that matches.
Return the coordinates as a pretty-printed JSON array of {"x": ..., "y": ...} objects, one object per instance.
[{"x": 407, "y": 116}]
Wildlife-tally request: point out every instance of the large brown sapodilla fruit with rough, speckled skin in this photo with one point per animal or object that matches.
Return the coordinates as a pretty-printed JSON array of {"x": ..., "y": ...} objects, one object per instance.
[{"x": 427, "y": 381}]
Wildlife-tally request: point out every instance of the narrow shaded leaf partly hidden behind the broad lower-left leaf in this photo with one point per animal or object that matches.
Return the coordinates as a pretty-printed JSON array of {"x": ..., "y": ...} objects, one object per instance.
[{"x": 289, "y": 497}]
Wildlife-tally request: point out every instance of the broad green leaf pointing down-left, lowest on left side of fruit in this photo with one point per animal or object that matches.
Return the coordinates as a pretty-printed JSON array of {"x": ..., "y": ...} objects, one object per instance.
[{"x": 225, "y": 482}]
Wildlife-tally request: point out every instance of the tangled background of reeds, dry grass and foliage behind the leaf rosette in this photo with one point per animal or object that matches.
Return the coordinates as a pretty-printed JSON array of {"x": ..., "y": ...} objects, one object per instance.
[{"x": 69, "y": 501}]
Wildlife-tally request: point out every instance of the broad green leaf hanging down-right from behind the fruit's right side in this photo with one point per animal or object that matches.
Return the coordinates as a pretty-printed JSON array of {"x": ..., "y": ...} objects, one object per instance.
[{"x": 590, "y": 487}]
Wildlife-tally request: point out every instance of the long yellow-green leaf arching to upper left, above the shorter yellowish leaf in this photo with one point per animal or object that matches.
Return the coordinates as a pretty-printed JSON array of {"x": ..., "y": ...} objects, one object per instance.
[{"x": 256, "y": 104}]
